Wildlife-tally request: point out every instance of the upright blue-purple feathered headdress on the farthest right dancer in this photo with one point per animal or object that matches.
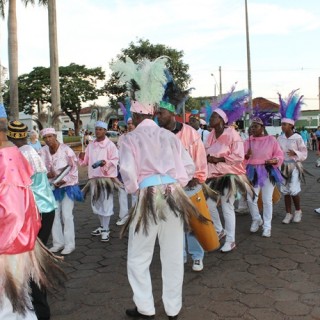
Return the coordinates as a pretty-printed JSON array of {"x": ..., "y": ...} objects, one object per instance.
[{"x": 290, "y": 109}]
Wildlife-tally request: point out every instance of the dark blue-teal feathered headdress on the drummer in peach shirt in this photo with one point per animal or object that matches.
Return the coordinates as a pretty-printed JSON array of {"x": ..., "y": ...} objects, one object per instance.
[{"x": 174, "y": 98}]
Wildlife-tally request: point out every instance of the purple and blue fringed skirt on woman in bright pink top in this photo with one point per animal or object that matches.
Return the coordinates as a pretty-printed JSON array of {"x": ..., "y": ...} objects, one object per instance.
[{"x": 258, "y": 174}]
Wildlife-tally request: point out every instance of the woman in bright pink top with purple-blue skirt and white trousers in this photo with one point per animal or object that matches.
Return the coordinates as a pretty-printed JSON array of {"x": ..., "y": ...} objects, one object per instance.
[{"x": 263, "y": 158}]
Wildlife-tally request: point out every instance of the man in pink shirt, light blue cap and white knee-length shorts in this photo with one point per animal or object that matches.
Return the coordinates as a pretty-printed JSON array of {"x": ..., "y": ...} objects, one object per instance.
[{"x": 100, "y": 182}]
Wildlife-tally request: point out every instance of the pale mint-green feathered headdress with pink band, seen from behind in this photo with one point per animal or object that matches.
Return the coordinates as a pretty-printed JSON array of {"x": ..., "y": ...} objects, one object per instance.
[{"x": 145, "y": 80}]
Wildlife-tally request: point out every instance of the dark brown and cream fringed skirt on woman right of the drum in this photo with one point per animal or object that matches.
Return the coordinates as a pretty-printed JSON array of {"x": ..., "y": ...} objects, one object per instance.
[{"x": 231, "y": 184}]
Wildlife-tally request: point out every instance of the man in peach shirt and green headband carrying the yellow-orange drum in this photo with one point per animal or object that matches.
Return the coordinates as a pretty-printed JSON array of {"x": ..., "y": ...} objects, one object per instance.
[{"x": 191, "y": 140}]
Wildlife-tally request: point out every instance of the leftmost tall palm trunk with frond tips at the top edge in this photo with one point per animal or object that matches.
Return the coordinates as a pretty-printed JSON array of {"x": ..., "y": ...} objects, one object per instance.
[{"x": 13, "y": 51}]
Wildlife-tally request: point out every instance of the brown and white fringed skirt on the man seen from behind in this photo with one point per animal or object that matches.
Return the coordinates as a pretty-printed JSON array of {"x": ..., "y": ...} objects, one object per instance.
[{"x": 153, "y": 203}]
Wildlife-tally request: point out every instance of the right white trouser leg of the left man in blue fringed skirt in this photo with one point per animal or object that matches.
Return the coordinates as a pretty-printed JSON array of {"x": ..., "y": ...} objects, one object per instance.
[{"x": 67, "y": 217}]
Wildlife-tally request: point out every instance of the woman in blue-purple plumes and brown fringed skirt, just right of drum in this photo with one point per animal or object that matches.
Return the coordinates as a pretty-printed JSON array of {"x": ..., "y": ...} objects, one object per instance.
[{"x": 226, "y": 173}]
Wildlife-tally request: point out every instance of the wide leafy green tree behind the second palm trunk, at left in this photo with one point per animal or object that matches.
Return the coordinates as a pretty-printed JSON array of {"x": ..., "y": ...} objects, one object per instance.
[{"x": 78, "y": 84}]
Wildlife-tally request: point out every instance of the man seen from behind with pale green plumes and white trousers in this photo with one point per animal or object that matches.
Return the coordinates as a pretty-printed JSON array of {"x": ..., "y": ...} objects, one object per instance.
[{"x": 154, "y": 165}]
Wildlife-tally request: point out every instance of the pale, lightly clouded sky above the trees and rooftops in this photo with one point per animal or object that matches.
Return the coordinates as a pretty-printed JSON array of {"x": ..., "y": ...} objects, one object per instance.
[{"x": 284, "y": 40}]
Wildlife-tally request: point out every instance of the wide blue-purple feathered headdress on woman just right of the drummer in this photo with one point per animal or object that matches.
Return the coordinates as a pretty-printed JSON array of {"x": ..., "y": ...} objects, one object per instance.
[{"x": 231, "y": 107}]
